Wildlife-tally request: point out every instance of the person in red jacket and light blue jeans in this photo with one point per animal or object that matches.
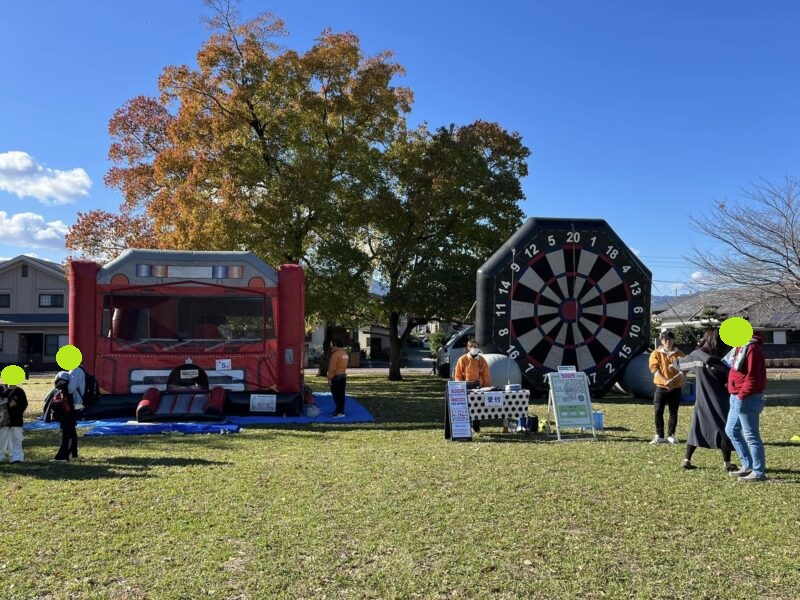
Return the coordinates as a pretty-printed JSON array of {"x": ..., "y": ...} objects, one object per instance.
[{"x": 746, "y": 382}]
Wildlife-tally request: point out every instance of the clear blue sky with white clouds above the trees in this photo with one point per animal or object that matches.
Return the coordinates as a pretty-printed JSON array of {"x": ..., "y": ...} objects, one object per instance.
[{"x": 640, "y": 113}]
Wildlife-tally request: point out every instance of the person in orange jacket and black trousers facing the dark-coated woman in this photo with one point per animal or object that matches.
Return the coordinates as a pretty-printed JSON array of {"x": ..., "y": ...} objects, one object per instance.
[{"x": 669, "y": 385}]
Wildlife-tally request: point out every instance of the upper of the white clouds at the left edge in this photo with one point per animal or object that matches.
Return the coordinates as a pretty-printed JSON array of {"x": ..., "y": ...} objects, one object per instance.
[{"x": 20, "y": 174}]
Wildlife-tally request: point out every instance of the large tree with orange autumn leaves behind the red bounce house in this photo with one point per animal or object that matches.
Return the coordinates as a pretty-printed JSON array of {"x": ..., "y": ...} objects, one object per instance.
[{"x": 258, "y": 148}]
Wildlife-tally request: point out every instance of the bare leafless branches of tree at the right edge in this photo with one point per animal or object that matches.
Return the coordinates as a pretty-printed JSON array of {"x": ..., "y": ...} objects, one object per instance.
[{"x": 760, "y": 243}]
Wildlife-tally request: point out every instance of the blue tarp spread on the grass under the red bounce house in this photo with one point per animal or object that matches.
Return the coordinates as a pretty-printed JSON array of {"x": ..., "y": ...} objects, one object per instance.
[{"x": 232, "y": 424}]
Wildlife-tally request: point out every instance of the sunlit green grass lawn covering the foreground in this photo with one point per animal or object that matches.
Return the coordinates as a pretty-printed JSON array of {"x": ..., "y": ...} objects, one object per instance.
[{"x": 392, "y": 510}]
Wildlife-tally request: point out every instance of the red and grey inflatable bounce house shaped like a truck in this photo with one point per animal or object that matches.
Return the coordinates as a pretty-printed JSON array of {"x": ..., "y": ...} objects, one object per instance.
[{"x": 174, "y": 335}]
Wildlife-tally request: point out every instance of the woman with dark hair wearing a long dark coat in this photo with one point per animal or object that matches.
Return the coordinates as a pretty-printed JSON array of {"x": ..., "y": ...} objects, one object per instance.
[{"x": 712, "y": 399}]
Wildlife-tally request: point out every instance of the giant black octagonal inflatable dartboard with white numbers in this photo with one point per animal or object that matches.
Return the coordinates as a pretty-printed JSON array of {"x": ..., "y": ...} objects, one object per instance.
[{"x": 565, "y": 292}]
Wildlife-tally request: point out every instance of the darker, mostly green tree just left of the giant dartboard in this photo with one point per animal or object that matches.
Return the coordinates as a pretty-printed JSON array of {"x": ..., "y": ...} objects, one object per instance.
[{"x": 449, "y": 199}]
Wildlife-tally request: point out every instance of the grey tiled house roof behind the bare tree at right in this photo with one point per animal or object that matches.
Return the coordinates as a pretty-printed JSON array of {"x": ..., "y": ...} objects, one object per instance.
[{"x": 772, "y": 312}]
